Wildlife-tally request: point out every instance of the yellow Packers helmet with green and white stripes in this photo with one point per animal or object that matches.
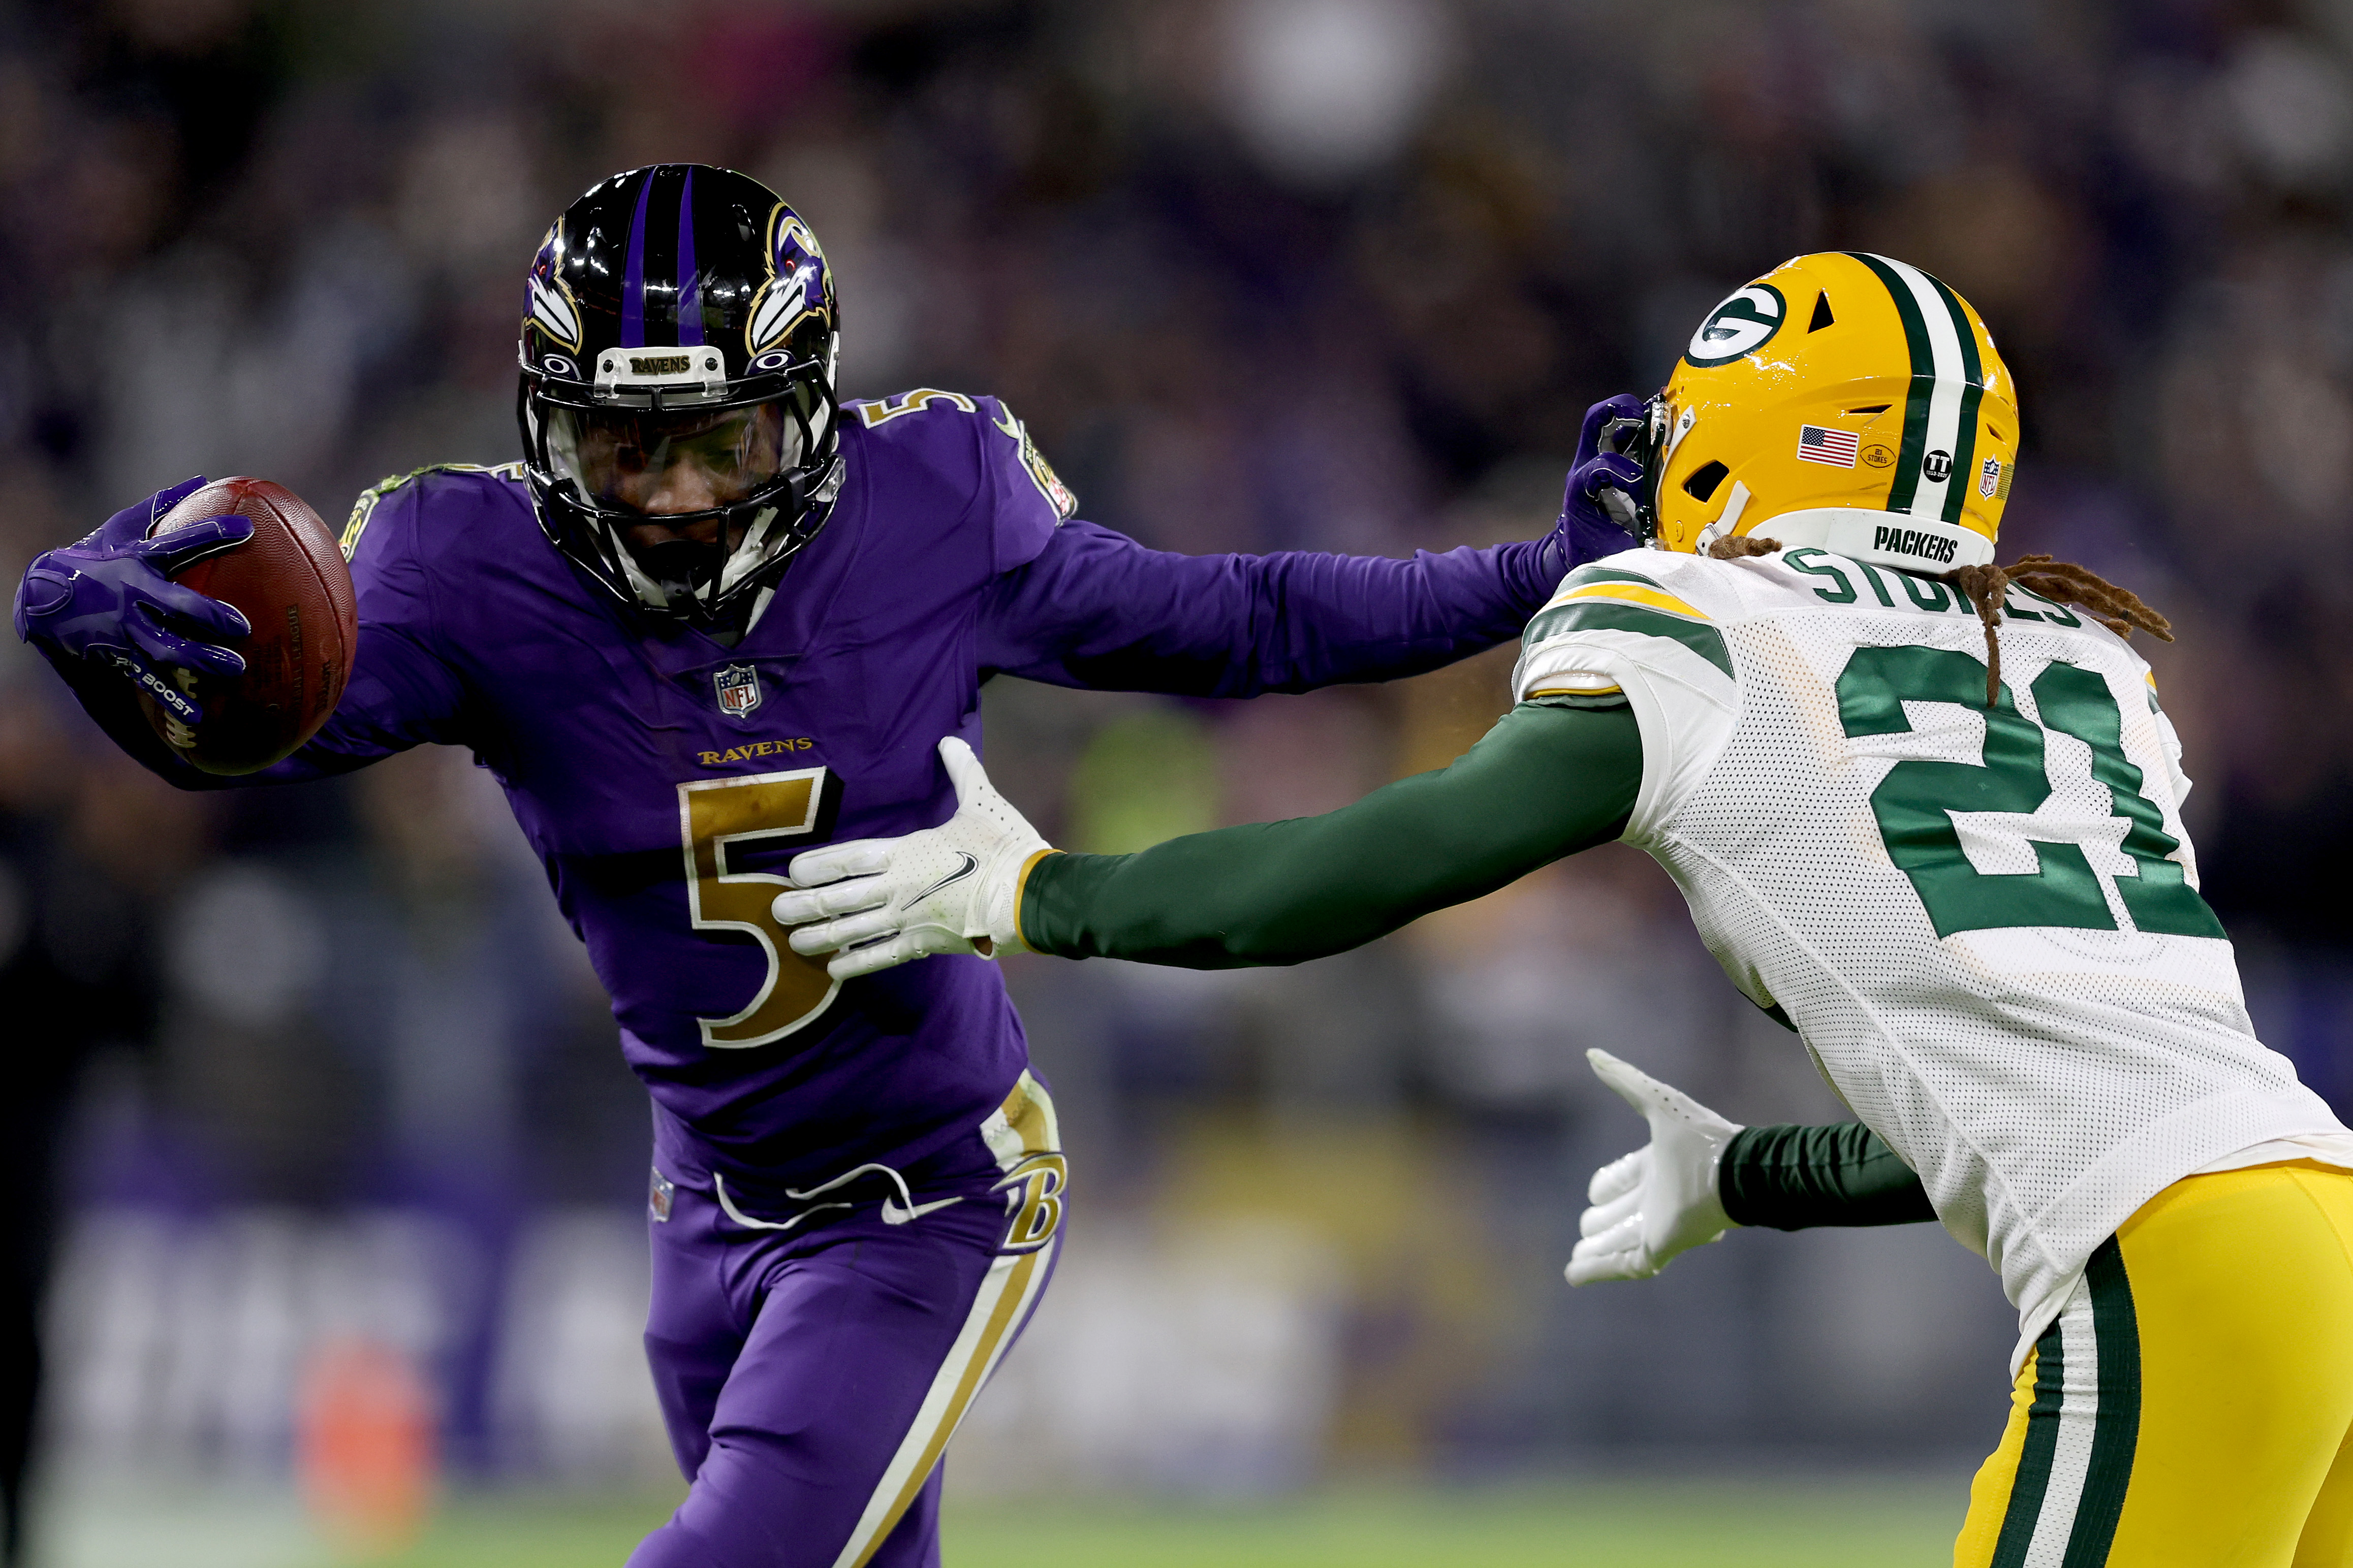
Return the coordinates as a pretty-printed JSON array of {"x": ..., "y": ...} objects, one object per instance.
[{"x": 1841, "y": 401}]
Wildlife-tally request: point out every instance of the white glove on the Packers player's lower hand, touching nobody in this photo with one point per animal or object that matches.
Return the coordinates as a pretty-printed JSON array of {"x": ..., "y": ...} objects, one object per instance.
[{"x": 1662, "y": 1198}]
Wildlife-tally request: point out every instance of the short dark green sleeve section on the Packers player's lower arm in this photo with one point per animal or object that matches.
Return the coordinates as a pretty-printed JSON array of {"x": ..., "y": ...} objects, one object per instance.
[{"x": 1804, "y": 1177}]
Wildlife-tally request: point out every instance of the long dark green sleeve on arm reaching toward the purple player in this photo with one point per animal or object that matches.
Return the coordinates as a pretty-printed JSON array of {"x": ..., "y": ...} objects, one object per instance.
[{"x": 1542, "y": 784}]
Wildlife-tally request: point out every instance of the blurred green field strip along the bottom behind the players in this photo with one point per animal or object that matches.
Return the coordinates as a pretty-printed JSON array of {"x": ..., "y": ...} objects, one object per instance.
[{"x": 1575, "y": 1525}]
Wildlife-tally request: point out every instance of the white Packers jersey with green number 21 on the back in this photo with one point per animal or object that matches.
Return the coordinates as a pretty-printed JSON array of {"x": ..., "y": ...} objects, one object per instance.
[{"x": 1982, "y": 923}]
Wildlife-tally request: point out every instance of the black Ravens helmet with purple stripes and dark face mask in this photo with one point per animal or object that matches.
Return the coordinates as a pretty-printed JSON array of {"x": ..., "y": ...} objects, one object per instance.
[{"x": 679, "y": 351}]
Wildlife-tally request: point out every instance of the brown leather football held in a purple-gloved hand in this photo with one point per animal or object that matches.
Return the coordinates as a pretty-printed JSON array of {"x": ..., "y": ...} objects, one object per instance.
[{"x": 295, "y": 591}]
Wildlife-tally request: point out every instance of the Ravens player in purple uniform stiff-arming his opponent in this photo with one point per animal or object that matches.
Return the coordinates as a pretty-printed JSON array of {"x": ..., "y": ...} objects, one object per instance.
[{"x": 712, "y": 619}]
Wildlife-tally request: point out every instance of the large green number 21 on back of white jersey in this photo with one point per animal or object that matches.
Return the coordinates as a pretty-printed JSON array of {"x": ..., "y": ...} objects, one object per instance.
[{"x": 1917, "y": 800}]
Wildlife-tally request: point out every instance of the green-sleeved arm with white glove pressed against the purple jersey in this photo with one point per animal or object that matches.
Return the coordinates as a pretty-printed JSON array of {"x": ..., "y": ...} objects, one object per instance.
[{"x": 1542, "y": 784}]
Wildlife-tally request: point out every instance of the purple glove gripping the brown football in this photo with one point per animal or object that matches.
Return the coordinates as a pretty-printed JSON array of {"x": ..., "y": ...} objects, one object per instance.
[{"x": 112, "y": 598}]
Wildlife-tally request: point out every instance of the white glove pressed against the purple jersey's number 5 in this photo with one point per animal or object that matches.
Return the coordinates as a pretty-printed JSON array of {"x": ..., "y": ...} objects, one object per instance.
[{"x": 945, "y": 890}]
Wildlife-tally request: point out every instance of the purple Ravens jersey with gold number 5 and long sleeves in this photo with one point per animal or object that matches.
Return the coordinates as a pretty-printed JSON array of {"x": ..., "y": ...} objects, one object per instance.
[{"x": 667, "y": 782}]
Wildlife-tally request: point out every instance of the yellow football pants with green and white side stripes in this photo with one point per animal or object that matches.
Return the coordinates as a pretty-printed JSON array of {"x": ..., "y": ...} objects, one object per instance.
[{"x": 2192, "y": 1407}]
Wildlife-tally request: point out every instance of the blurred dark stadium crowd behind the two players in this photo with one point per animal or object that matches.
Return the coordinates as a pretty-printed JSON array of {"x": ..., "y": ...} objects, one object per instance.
[{"x": 316, "y": 1073}]
